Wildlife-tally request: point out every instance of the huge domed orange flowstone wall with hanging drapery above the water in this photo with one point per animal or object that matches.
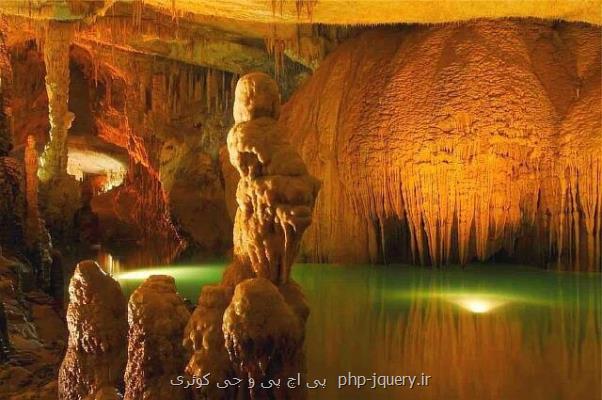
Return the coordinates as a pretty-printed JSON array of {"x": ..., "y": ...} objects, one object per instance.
[{"x": 451, "y": 143}]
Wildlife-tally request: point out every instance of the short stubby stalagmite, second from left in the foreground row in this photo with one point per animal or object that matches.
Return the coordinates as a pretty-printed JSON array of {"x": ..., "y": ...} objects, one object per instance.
[{"x": 157, "y": 317}]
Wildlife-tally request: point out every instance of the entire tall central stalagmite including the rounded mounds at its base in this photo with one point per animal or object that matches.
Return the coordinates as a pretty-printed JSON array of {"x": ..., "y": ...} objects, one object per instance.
[{"x": 262, "y": 325}]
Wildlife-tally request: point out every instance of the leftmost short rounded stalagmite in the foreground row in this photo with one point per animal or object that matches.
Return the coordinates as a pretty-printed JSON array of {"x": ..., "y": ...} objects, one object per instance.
[{"x": 95, "y": 361}]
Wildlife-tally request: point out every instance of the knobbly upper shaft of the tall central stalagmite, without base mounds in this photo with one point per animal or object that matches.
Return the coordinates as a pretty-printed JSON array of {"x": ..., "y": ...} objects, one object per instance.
[{"x": 275, "y": 194}]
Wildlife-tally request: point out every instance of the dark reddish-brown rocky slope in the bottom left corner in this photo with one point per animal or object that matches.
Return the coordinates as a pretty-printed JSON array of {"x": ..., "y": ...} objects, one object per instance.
[{"x": 37, "y": 336}]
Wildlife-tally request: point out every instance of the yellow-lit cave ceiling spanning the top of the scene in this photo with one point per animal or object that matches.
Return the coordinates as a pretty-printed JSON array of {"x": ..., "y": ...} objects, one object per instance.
[{"x": 240, "y": 36}]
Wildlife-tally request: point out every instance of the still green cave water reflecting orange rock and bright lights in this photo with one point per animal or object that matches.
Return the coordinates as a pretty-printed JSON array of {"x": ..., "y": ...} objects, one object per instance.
[{"x": 483, "y": 332}]
